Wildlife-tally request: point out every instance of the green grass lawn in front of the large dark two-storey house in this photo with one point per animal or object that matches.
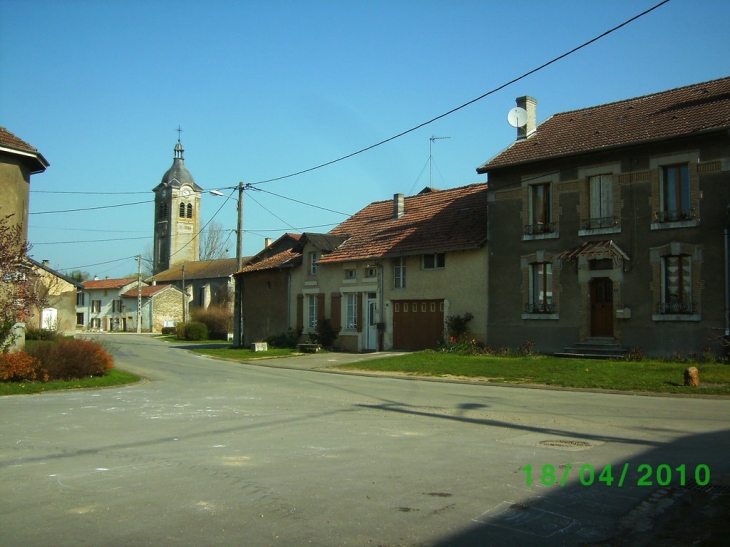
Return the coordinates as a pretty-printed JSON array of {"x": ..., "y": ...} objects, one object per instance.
[{"x": 654, "y": 376}]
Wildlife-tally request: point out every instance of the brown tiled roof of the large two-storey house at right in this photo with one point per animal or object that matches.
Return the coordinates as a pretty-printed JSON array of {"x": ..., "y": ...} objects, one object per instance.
[{"x": 680, "y": 111}]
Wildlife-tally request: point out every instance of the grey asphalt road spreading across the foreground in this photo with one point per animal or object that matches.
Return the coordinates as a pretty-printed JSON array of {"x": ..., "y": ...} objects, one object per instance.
[{"x": 215, "y": 453}]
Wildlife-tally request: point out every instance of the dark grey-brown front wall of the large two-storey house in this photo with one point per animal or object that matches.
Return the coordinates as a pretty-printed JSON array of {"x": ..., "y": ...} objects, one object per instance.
[{"x": 637, "y": 285}]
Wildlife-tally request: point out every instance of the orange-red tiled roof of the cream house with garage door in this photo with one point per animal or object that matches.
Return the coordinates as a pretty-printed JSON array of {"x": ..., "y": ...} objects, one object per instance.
[{"x": 439, "y": 221}]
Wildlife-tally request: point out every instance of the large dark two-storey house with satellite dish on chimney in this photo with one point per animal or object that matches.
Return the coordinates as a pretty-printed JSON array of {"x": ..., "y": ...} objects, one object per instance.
[{"x": 613, "y": 226}]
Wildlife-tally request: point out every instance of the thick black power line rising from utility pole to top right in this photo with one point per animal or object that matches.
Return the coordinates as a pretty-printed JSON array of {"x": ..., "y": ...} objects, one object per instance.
[{"x": 487, "y": 94}]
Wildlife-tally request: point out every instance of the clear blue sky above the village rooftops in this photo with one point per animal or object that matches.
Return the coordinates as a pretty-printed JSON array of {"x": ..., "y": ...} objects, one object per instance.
[{"x": 266, "y": 89}]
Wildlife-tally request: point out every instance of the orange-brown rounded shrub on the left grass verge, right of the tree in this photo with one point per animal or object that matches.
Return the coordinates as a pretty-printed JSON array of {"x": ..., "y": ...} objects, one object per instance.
[{"x": 72, "y": 358}]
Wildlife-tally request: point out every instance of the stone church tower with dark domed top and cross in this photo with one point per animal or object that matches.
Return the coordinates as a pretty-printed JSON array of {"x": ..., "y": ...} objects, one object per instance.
[{"x": 177, "y": 215}]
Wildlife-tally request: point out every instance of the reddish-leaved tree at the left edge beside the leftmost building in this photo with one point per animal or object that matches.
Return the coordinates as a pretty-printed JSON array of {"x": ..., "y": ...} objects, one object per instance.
[{"x": 21, "y": 289}]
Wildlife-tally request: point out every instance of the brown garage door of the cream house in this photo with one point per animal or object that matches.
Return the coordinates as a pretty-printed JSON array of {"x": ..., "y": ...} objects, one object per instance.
[{"x": 417, "y": 324}]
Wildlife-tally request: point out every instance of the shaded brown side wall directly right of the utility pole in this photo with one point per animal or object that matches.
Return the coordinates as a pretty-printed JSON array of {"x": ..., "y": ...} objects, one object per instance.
[{"x": 265, "y": 308}]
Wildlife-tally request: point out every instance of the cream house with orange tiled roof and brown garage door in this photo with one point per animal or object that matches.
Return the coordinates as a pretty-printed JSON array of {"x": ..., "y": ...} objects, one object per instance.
[{"x": 388, "y": 277}]
